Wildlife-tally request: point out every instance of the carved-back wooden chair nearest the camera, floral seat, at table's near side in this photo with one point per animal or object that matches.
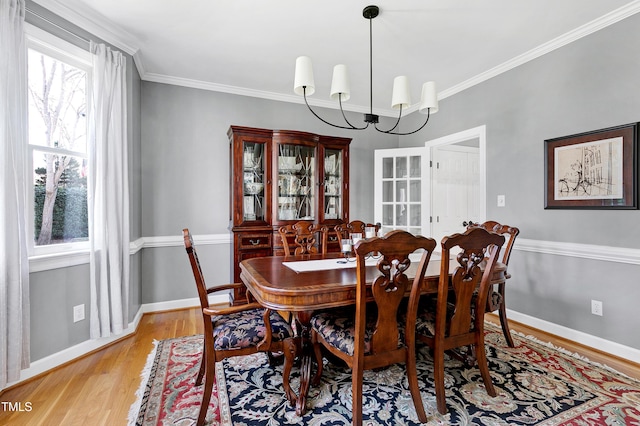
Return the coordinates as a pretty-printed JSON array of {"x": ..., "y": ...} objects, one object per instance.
[{"x": 368, "y": 335}]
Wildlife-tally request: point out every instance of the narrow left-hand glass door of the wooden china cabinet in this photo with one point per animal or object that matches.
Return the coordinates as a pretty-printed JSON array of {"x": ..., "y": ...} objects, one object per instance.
[{"x": 253, "y": 166}]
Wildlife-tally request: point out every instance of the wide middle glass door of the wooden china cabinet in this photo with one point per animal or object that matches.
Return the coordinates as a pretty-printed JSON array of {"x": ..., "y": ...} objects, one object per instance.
[{"x": 296, "y": 182}]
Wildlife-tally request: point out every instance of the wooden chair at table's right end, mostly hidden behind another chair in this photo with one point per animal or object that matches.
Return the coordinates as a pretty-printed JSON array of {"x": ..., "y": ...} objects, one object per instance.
[{"x": 496, "y": 300}]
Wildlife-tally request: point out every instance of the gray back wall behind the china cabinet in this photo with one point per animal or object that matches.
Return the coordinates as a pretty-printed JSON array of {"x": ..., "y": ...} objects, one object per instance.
[{"x": 185, "y": 174}]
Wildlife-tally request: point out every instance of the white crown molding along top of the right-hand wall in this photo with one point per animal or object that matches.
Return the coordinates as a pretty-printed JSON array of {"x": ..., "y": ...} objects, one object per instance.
[{"x": 576, "y": 34}]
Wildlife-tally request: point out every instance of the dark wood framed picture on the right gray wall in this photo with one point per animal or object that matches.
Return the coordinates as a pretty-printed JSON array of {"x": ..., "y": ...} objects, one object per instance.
[{"x": 593, "y": 170}]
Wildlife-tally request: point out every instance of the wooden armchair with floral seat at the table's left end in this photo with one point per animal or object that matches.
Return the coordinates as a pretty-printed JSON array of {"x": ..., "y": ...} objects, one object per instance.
[{"x": 237, "y": 330}]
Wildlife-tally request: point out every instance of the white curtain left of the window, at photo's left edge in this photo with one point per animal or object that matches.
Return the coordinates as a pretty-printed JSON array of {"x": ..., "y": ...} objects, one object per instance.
[{"x": 14, "y": 260}]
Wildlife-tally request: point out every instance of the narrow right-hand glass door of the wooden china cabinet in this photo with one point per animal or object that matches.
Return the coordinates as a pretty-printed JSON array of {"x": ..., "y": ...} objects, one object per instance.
[{"x": 333, "y": 184}]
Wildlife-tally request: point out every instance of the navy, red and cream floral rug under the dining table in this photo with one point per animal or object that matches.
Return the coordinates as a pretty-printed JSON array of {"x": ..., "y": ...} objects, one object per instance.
[{"x": 536, "y": 384}]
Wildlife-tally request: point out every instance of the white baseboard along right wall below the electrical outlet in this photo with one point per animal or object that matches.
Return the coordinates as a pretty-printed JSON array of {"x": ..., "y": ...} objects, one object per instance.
[{"x": 576, "y": 336}]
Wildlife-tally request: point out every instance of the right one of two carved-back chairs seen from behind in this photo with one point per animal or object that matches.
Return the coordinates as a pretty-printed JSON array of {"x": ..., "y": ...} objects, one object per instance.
[{"x": 457, "y": 319}]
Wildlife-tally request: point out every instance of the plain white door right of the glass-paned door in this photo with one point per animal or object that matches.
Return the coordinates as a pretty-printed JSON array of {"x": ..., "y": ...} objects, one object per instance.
[{"x": 454, "y": 191}]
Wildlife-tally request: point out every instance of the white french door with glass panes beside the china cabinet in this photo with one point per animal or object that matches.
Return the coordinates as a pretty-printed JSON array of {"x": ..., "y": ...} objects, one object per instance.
[{"x": 401, "y": 200}]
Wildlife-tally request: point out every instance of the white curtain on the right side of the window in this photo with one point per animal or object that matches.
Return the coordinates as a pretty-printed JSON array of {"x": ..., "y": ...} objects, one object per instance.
[{"x": 108, "y": 189}]
